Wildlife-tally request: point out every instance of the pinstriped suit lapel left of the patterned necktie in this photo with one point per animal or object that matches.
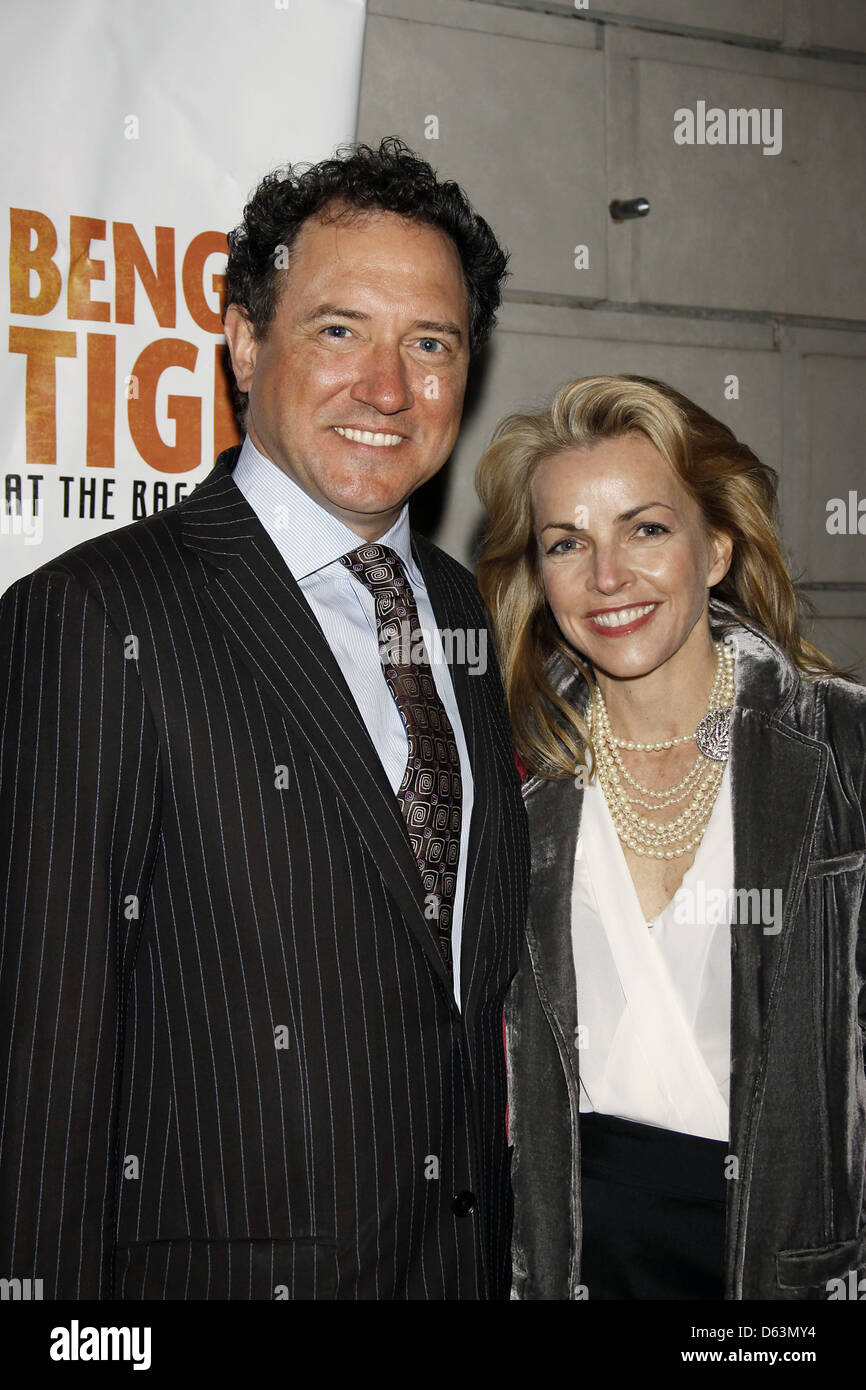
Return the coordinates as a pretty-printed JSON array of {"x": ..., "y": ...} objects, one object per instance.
[{"x": 272, "y": 628}]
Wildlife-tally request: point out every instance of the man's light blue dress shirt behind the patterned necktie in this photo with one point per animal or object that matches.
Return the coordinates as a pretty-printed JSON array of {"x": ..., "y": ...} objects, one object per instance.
[{"x": 311, "y": 541}]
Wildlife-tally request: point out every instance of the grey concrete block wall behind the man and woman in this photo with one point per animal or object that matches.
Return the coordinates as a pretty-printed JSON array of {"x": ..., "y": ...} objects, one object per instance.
[{"x": 749, "y": 266}]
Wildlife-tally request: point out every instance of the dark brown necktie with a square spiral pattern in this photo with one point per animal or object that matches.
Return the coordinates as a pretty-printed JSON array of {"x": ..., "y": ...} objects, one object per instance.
[{"x": 430, "y": 794}]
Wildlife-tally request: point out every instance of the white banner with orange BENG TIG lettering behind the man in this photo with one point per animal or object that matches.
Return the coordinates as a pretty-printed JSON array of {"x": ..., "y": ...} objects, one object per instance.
[{"x": 134, "y": 136}]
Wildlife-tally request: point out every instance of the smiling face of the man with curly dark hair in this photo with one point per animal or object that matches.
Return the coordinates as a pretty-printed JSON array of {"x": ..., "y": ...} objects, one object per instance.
[{"x": 358, "y": 389}]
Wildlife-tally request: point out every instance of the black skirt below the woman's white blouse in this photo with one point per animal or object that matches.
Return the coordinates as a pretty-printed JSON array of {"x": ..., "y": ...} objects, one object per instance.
[{"x": 654, "y": 1207}]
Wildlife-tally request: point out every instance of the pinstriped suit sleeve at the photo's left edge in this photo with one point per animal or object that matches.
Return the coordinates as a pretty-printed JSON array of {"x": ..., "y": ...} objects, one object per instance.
[{"x": 79, "y": 826}]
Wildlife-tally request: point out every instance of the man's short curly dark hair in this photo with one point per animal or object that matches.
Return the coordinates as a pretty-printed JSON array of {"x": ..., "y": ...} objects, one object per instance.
[{"x": 390, "y": 180}]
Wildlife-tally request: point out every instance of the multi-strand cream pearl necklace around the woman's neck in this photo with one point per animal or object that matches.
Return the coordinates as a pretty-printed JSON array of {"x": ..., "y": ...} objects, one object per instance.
[{"x": 683, "y": 835}]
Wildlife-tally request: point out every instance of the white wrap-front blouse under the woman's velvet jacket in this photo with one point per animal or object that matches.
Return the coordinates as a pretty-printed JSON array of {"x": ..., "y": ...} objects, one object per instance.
[{"x": 654, "y": 999}]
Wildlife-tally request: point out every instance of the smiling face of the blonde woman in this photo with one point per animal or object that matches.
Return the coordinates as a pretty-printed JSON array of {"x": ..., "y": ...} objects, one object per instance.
[{"x": 625, "y": 557}]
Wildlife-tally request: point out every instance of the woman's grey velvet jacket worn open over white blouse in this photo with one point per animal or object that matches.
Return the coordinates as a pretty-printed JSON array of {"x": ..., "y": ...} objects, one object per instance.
[{"x": 797, "y": 1213}]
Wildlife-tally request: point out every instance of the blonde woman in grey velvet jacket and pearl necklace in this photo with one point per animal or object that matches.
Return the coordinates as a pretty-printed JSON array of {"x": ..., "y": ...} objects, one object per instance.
[{"x": 686, "y": 1032}]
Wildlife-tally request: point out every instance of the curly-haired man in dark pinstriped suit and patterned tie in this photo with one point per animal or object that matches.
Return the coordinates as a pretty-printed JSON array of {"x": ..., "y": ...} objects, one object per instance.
[{"x": 265, "y": 869}]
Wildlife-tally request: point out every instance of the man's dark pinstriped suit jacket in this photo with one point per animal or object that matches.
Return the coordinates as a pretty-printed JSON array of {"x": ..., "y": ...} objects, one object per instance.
[{"x": 234, "y": 1064}]
